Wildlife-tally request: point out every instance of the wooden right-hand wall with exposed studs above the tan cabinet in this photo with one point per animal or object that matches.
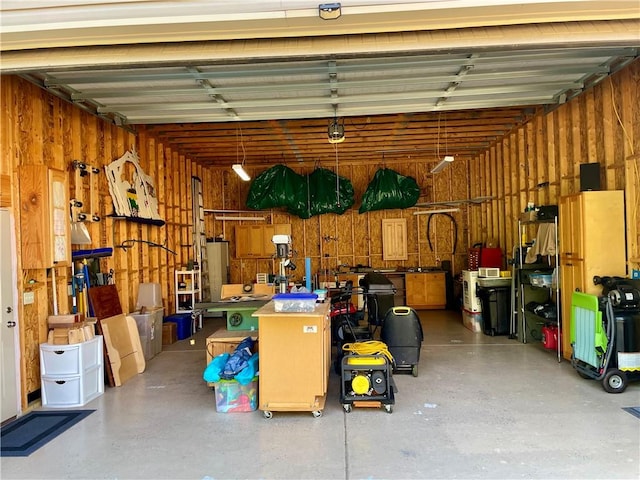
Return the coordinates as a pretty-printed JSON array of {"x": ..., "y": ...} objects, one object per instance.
[{"x": 540, "y": 161}]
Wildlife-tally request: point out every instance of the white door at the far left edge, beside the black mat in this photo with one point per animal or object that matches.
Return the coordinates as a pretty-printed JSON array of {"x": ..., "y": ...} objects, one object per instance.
[{"x": 8, "y": 331}]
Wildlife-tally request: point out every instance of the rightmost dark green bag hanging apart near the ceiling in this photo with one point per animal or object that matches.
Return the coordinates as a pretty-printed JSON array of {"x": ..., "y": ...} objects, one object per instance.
[{"x": 389, "y": 190}]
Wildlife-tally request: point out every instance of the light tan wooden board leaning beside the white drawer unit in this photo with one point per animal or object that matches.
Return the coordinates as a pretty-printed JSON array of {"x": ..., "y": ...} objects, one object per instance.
[{"x": 122, "y": 340}]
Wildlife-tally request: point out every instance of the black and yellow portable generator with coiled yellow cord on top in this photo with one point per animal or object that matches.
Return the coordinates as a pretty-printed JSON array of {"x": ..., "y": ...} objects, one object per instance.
[{"x": 367, "y": 381}]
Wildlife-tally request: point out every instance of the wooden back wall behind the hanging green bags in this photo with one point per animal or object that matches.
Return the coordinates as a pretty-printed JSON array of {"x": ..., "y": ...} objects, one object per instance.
[{"x": 352, "y": 238}]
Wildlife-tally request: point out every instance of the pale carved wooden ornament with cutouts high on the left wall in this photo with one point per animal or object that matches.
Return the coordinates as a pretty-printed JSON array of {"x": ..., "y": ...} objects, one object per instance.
[{"x": 133, "y": 192}]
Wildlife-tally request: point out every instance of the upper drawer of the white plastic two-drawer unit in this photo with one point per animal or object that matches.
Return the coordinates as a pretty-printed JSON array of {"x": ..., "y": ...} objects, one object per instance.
[{"x": 70, "y": 359}]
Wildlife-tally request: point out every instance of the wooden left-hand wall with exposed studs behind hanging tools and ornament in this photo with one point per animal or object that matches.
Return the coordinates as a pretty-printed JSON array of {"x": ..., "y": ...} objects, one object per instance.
[{"x": 39, "y": 128}]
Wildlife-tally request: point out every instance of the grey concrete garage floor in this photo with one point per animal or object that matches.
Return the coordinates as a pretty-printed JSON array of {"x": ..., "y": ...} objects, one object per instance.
[{"x": 481, "y": 407}]
